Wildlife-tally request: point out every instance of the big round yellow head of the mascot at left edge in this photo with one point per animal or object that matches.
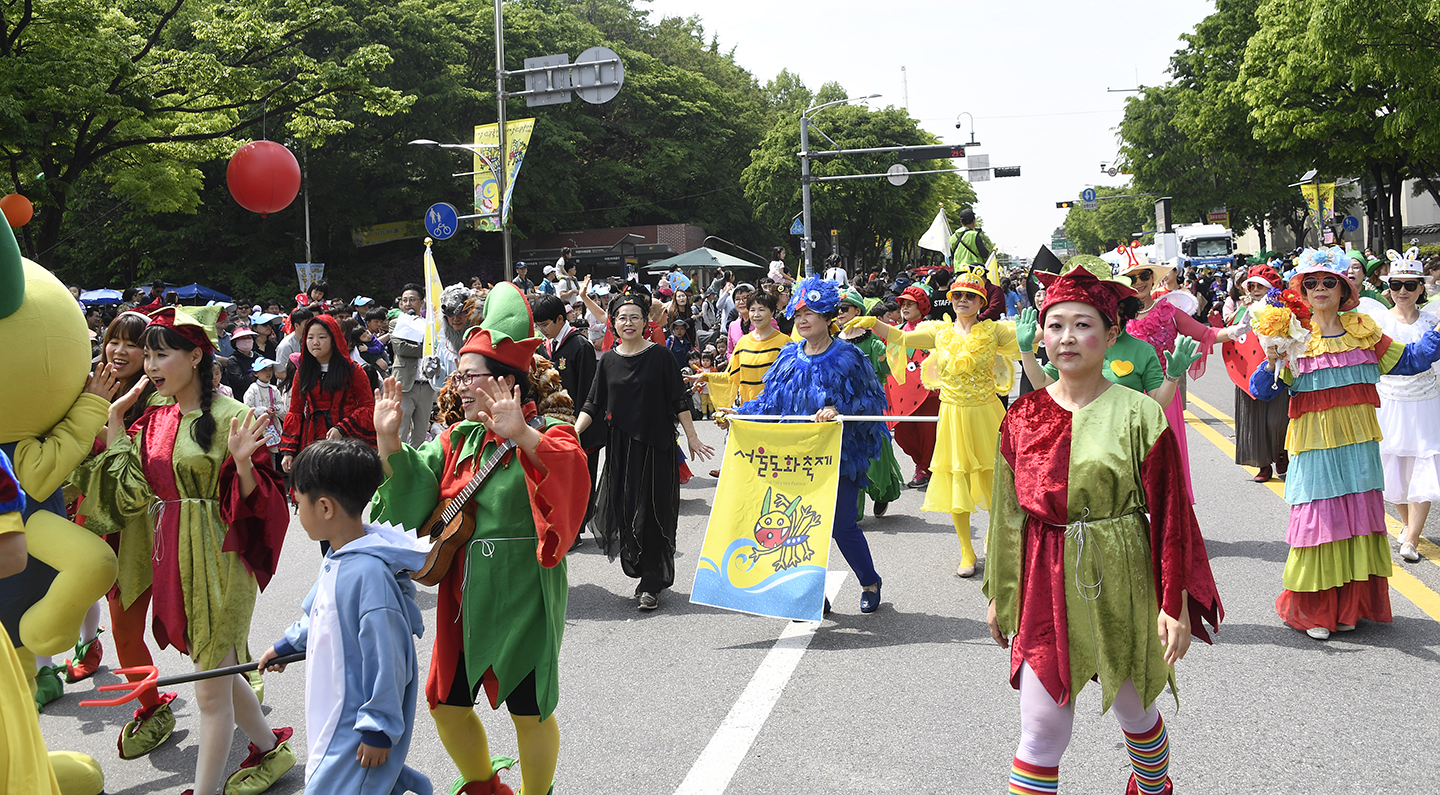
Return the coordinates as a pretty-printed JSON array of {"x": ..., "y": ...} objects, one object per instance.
[{"x": 44, "y": 349}]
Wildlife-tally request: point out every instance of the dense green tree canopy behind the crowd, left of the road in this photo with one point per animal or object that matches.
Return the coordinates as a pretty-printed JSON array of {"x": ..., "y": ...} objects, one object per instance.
[{"x": 117, "y": 120}]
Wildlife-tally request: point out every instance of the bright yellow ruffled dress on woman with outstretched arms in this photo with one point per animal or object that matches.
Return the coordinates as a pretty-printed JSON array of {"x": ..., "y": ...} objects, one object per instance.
[{"x": 968, "y": 369}]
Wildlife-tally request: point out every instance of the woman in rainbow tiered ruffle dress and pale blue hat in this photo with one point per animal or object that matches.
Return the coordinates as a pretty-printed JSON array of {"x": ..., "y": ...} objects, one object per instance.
[{"x": 1340, "y": 555}]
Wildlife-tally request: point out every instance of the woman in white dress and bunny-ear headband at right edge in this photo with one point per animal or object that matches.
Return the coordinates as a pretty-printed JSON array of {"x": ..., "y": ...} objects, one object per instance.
[{"x": 1409, "y": 405}]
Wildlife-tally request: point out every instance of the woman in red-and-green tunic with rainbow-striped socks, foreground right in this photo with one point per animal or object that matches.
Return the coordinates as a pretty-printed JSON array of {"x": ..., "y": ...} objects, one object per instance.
[{"x": 1082, "y": 584}]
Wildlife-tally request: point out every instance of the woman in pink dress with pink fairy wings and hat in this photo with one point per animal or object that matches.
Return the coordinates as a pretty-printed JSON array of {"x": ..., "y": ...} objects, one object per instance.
[{"x": 1164, "y": 316}]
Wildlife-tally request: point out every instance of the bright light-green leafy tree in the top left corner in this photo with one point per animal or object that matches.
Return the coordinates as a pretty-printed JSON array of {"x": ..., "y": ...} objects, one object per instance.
[{"x": 139, "y": 94}]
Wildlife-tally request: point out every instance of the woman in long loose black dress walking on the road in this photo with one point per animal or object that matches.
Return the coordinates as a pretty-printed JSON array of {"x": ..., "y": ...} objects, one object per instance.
[{"x": 640, "y": 392}]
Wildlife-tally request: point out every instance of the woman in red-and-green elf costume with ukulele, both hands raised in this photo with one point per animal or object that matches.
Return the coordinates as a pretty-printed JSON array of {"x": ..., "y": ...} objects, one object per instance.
[{"x": 502, "y": 606}]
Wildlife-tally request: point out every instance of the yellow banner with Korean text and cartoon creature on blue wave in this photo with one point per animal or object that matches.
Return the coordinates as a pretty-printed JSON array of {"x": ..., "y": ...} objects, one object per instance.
[{"x": 768, "y": 541}]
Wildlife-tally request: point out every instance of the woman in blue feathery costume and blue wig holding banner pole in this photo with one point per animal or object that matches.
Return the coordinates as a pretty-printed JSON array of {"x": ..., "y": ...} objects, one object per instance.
[{"x": 829, "y": 378}]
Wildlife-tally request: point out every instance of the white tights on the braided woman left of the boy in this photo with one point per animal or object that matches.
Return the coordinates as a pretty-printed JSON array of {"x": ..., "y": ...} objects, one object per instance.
[{"x": 225, "y": 704}]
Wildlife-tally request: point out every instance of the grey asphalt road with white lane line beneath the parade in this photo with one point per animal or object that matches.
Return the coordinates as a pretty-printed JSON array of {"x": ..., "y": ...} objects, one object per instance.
[{"x": 915, "y": 698}]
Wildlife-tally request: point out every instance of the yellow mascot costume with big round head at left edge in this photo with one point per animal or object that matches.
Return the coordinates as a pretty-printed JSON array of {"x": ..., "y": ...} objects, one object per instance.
[{"x": 48, "y": 426}]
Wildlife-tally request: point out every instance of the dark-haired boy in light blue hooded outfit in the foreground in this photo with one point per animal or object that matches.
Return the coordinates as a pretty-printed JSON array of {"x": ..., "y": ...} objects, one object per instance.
[{"x": 361, "y": 675}]
